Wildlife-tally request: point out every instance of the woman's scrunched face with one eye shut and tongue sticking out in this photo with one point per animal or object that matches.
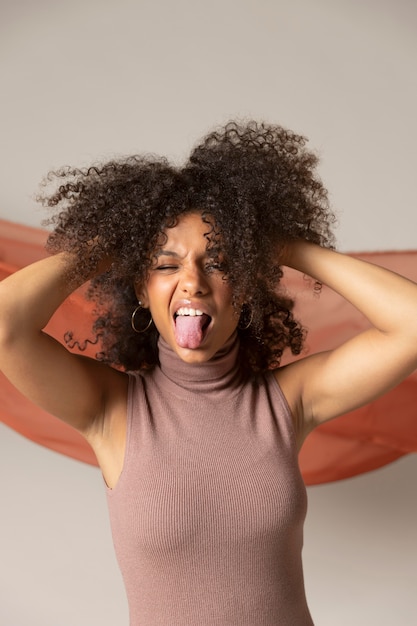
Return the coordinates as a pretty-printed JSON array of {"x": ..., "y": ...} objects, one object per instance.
[{"x": 188, "y": 297}]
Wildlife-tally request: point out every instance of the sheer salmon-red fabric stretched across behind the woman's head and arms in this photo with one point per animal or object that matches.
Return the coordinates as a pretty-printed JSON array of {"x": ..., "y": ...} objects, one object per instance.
[{"x": 355, "y": 443}]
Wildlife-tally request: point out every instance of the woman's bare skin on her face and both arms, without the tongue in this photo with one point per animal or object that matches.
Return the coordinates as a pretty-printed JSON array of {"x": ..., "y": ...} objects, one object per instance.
[{"x": 92, "y": 397}]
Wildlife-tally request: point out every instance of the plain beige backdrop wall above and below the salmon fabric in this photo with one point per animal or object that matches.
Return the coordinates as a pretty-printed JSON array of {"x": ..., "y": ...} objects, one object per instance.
[{"x": 91, "y": 79}]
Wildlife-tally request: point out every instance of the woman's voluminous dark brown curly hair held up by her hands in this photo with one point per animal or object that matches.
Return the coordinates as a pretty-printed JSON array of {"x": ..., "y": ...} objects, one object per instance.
[{"x": 255, "y": 183}]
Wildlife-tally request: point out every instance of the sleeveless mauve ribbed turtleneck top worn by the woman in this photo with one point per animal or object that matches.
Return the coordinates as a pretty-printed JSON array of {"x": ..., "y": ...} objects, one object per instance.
[{"x": 207, "y": 516}]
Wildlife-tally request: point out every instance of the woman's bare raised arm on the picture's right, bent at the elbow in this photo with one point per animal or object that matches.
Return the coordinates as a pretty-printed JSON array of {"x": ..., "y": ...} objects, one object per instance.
[{"x": 329, "y": 384}]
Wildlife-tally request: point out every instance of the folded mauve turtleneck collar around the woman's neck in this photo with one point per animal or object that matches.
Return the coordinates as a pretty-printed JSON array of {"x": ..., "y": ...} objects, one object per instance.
[{"x": 219, "y": 373}]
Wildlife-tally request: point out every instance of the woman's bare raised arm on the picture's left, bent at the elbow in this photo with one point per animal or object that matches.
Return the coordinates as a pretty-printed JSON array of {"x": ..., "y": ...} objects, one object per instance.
[{"x": 71, "y": 387}]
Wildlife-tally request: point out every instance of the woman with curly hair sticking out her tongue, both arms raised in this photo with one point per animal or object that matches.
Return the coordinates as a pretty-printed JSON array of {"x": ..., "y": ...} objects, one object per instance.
[{"x": 195, "y": 425}]
